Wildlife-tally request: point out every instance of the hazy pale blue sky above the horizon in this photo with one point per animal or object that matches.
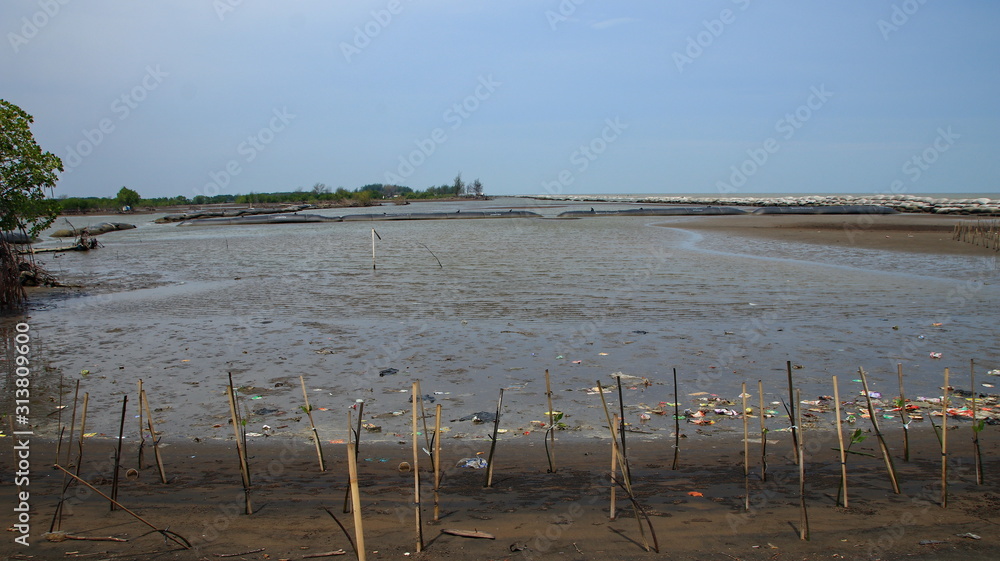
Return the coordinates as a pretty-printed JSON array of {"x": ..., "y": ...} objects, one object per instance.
[{"x": 532, "y": 97}]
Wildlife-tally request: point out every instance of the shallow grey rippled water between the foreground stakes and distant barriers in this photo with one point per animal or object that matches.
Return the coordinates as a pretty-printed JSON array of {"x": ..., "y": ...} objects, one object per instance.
[{"x": 180, "y": 307}]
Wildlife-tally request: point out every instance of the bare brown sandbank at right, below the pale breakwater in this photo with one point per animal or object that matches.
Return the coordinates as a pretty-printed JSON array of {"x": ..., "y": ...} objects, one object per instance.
[{"x": 921, "y": 233}]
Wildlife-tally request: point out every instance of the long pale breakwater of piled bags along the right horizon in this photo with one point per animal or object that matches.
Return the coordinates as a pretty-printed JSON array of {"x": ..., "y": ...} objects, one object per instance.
[{"x": 902, "y": 203}]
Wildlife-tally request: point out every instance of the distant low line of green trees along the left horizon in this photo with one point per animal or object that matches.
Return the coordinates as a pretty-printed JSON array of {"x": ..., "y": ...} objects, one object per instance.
[{"x": 319, "y": 194}]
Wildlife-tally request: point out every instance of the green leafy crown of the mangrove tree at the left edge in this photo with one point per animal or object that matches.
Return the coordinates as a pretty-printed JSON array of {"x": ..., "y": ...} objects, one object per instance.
[{"x": 25, "y": 172}]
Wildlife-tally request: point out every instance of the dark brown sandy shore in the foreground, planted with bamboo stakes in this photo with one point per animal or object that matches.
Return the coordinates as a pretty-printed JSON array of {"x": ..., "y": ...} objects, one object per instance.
[{"x": 697, "y": 511}]
